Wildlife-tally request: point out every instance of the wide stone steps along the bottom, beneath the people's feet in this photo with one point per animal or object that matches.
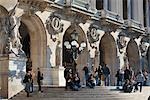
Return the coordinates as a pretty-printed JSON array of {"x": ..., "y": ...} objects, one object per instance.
[{"x": 98, "y": 93}]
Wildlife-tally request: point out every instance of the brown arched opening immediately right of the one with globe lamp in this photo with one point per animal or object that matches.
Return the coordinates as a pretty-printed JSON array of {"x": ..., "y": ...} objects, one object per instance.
[{"x": 108, "y": 55}]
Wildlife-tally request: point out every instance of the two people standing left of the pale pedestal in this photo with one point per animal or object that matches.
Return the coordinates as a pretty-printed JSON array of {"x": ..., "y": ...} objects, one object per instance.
[{"x": 28, "y": 81}]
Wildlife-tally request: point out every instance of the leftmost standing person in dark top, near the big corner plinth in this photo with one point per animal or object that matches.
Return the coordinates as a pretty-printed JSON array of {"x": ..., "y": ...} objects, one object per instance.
[{"x": 27, "y": 80}]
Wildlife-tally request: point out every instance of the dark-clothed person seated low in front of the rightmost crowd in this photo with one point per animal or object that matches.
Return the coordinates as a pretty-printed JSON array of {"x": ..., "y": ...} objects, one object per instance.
[{"x": 127, "y": 87}]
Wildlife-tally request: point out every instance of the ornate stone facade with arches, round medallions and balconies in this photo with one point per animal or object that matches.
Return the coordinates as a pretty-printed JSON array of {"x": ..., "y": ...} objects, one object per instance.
[{"x": 40, "y": 28}]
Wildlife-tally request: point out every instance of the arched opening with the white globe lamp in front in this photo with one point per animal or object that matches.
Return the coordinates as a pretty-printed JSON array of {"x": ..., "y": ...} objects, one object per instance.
[{"x": 75, "y": 58}]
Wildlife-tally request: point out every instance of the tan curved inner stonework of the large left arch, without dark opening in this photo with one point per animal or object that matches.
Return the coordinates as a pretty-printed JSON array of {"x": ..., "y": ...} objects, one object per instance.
[{"x": 38, "y": 39}]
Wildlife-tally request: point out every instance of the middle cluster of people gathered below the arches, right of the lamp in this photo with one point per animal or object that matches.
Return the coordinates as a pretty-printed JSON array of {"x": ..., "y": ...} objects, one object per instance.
[{"x": 99, "y": 76}]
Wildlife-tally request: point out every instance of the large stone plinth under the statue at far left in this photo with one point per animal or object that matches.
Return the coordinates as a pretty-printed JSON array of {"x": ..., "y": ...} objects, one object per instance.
[{"x": 12, "y": 72}]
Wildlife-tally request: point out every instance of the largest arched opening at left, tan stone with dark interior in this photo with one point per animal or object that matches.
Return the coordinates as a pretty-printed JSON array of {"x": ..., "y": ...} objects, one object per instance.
[{"x": 34, "y": 40}]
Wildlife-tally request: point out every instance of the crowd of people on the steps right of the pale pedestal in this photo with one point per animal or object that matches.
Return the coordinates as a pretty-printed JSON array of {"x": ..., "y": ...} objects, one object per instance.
[{"x": 125, "y": 78}]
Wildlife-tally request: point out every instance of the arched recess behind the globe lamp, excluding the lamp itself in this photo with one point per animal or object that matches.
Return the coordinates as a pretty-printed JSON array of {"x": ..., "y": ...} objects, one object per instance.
[{"x": 82, "y": 59}]
